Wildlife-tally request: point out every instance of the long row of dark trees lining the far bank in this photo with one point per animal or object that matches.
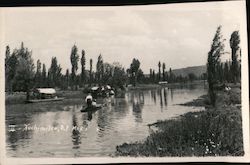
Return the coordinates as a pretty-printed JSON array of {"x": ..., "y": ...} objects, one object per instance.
[{"x": 22, "y": 75}]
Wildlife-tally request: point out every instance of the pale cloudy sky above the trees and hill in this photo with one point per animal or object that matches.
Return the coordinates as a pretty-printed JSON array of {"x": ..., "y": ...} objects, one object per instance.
[{"x": 180, "y": 35}]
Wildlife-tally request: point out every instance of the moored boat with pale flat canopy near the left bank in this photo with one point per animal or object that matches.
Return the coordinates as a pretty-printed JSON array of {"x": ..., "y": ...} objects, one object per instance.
[{"x": 44, "y": 95}]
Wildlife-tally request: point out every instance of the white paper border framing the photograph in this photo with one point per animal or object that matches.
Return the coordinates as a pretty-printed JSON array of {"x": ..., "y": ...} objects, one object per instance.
[{"x": 245, "y": 102}]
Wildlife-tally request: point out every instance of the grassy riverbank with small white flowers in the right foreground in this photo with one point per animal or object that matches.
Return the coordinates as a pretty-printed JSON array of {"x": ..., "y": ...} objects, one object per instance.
[{"x": 217, "y": 131}]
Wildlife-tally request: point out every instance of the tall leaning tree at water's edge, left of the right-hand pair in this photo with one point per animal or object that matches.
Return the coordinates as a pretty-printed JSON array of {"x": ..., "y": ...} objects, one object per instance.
[{"x": 213, "y": 61}]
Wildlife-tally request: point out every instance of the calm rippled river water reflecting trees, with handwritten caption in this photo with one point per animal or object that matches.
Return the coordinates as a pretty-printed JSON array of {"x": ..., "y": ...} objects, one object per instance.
[{"x": 59, "y": 129}]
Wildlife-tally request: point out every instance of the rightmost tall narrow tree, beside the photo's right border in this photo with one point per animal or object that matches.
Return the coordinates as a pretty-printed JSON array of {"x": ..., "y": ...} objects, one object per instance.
[{"x": 234, "y": 44}]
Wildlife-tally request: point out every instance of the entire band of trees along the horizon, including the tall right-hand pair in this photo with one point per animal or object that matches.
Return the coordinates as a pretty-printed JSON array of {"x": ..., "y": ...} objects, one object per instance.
[{"x": 21, "y": 74}]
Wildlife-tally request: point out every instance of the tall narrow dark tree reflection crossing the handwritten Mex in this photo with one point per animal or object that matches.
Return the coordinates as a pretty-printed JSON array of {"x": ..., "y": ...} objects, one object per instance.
[{"x": 76, "y": 139}]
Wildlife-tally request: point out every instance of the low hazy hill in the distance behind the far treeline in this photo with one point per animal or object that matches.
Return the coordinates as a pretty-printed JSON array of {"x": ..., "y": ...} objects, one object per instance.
[{"x": 197, "y": 70}]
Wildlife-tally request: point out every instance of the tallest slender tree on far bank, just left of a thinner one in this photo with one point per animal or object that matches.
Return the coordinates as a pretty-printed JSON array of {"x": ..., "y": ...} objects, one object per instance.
[{"x": 74, "y": 58}]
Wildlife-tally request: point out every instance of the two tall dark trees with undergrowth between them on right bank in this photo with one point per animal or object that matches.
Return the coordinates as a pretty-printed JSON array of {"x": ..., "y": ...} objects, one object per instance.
[{"x": 223, "y": 72}]
